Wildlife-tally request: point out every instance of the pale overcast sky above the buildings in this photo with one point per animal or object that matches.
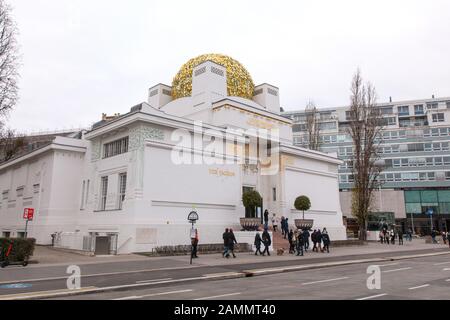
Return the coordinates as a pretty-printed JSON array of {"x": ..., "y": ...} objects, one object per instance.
[{"x": 85, "y": 57}]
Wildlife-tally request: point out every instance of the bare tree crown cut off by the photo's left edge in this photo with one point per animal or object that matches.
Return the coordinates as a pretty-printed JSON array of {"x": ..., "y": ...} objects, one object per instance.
[{"x": 8, "y": 60}]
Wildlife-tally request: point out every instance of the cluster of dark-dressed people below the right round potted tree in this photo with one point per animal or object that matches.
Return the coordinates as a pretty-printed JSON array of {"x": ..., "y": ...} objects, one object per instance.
[{"x": 299, "y": 241}]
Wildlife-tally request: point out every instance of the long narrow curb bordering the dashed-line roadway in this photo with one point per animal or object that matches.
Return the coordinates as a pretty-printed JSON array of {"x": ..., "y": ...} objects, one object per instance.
[{"x": 218, "y": 276}]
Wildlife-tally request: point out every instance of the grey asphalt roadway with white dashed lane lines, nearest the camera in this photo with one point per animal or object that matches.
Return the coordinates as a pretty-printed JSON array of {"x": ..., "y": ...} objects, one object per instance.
[{"x": 419, "y": 278}]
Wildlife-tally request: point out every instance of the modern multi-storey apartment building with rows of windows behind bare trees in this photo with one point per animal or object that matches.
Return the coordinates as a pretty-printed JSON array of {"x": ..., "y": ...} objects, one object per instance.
[{"x": 415, "y": 147}]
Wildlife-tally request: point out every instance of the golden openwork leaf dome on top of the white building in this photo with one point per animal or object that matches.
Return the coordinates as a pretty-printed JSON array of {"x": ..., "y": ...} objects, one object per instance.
[{"x": 239, "y": 81}]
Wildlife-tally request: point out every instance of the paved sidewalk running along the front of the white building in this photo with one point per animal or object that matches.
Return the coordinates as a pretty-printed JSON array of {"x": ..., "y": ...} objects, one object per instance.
[{"x": 48, "y": 256}]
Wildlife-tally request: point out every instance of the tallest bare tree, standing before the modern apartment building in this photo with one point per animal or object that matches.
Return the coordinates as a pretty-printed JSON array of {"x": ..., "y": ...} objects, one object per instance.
[{"x": 365, "y": 128}]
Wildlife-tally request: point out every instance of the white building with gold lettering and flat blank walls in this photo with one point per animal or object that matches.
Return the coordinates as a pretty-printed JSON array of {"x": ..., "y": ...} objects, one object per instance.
[{"x": 130, "y": 183}]
